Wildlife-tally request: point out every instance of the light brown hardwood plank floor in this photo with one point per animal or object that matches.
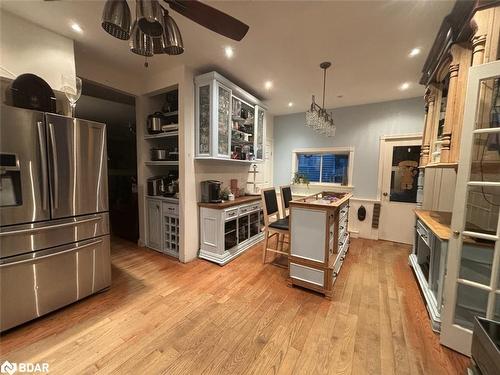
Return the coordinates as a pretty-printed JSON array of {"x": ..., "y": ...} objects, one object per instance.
[{"x": 161, "y": 316}]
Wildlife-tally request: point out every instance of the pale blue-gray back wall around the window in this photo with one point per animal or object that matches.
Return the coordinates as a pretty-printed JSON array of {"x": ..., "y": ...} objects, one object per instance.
[{"x": 359, "y": 126}]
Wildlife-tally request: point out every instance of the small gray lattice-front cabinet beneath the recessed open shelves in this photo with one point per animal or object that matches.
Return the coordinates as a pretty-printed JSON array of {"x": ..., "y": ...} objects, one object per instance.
[{"x": 163, "y": 225}]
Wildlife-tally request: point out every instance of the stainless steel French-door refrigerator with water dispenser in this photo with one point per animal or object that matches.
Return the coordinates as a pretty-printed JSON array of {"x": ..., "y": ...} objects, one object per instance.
[{"x": 54, "y": 223}]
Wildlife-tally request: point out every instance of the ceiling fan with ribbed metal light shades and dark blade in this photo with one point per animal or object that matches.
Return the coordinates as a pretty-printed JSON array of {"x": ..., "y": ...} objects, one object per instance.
[{"x": 154, "y": 31}]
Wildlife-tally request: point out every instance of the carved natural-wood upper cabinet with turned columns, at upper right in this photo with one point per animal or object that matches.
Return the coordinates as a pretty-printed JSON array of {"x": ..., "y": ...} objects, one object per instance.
[{"x": 468, "y": 36}]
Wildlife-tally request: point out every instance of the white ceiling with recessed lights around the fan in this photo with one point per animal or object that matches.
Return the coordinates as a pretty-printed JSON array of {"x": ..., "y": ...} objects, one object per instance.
[{"x": 367, "y": 41}]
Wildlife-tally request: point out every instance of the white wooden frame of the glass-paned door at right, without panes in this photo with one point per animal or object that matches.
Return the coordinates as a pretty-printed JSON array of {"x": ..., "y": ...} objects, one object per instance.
[{"x": 453, "y": 335}]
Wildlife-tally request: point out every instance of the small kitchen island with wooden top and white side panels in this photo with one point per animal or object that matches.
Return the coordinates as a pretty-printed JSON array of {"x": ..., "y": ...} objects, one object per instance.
[{"x": 319, "y": 240}]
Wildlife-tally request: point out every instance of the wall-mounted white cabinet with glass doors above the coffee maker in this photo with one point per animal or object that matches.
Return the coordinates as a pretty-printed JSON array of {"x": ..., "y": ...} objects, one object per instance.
[{"x": 230, "y": 123}]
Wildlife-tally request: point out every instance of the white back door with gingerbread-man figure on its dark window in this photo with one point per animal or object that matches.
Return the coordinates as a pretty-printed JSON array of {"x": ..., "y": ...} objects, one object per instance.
[{"x": 398, "y": 174}]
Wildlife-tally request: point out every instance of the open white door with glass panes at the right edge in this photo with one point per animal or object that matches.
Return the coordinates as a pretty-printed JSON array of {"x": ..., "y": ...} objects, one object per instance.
[{"x": 472, "y": 285}]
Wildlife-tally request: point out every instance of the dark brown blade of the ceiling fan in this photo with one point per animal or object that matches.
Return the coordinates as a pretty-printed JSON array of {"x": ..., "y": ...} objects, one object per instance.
[{"x": 210, "y": 18}]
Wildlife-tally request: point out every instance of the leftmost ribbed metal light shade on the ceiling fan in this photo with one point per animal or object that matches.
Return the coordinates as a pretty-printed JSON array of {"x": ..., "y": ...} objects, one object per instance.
[{"x": 116, "y": 19}]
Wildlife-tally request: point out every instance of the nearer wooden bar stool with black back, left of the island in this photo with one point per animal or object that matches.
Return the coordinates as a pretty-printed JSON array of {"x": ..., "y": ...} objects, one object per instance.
[{"x": 273, "y": 224}]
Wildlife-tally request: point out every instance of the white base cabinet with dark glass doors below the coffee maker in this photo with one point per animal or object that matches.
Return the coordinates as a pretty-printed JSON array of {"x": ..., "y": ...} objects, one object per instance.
[{"x": 227, "y": 232}]
